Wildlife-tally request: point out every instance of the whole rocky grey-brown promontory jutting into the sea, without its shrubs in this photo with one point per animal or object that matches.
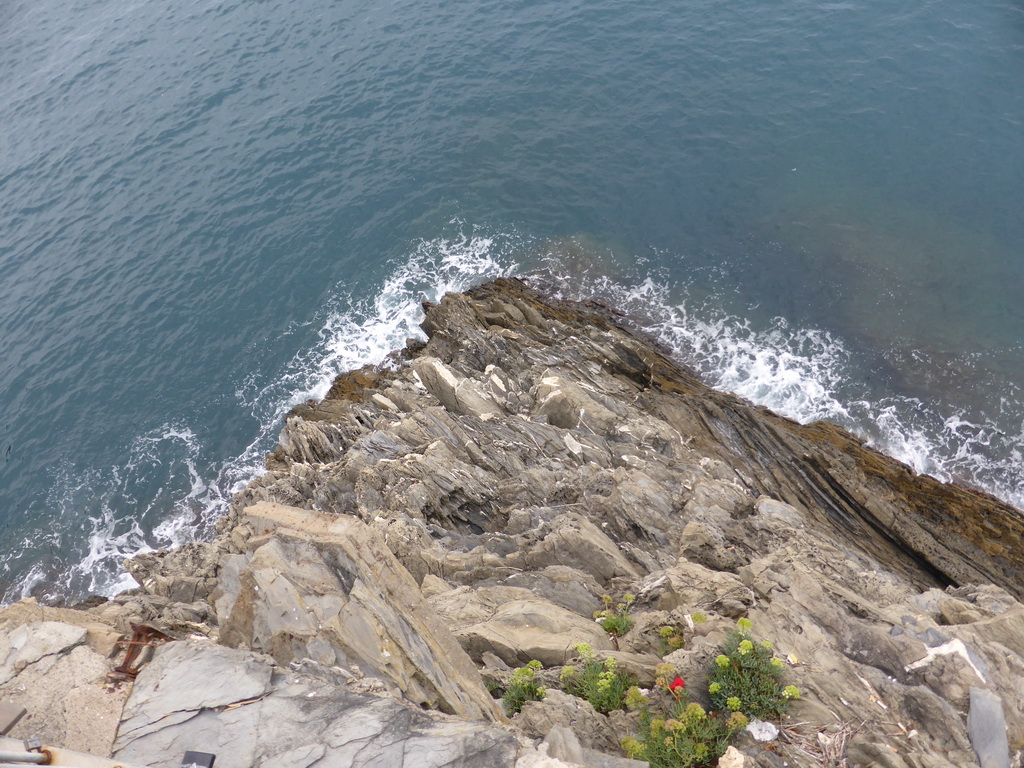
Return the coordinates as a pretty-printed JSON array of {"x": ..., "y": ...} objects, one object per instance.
[{"x": 464, "y": 509}]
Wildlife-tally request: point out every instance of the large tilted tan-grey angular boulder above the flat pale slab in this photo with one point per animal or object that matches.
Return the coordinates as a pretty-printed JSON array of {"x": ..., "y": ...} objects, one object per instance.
[{"x": 327, "y": 587}]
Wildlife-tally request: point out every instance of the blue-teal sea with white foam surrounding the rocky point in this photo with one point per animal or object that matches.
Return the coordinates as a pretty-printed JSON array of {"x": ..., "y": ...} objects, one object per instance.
[{"x": 208, "y": 209}]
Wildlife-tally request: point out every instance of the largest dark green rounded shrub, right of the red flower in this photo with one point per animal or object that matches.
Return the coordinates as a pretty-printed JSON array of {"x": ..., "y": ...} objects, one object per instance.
[{"x": 746, "y": 677}]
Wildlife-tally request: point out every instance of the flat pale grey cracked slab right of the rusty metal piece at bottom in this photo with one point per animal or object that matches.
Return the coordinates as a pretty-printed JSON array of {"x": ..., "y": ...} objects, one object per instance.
[{"x": 295, "y": 719}]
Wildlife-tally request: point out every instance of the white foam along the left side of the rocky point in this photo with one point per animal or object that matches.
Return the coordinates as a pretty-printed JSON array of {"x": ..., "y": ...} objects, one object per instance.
[{"x": 355, "y": 333}]
